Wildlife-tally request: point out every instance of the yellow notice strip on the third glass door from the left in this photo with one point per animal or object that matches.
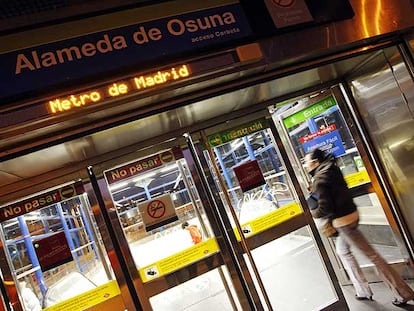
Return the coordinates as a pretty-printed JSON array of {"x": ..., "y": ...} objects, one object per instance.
[{"x": 269, "y": 220}]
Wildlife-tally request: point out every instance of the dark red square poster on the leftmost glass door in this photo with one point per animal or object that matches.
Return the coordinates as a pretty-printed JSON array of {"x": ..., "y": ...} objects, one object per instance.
[{"x": 53, "y": 251}]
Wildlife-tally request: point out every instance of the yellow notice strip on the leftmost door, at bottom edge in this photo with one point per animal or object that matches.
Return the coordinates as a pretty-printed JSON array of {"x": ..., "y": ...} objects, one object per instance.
[{"x": 89, "y": 298}]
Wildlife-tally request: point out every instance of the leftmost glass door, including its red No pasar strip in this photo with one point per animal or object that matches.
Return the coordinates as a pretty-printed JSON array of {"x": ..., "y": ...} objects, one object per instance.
[{"x": 53, "y": 257}]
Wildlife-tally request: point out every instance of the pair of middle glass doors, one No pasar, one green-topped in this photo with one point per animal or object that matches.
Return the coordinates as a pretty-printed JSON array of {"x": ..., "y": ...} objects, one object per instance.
[{"x": 232, "y": 186}]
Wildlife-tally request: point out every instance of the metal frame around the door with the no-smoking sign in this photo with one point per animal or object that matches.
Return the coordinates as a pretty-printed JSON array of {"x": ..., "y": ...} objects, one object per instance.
[{"x": 247, "y": 295}]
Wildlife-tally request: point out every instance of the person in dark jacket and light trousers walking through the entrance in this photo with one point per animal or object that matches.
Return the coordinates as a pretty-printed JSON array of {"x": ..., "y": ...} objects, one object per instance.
[{"x": 335, "y": 203}]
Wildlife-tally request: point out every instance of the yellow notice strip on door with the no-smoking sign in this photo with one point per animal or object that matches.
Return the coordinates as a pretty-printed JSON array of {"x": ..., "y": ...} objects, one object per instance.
[{"x": 179, "y": 260}]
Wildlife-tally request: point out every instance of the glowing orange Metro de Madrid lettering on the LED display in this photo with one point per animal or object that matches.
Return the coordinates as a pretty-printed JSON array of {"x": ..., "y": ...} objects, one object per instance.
[{"x": 117, "y": 89}]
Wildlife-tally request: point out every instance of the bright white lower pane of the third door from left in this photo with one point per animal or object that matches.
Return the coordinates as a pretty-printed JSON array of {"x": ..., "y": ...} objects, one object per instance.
[{"x": 293, "y": 273}]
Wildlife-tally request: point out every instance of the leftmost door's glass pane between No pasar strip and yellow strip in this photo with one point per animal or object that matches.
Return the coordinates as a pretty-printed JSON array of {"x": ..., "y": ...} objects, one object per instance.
[{"x": 54, "y": 249}]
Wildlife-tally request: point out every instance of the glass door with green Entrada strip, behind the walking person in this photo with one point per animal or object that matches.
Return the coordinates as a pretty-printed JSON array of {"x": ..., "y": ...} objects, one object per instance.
[{"x": 317, "y": 121}]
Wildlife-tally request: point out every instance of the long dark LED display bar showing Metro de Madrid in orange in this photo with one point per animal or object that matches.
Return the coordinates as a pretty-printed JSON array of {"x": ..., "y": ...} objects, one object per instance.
[{"x": 132, "y": 85}]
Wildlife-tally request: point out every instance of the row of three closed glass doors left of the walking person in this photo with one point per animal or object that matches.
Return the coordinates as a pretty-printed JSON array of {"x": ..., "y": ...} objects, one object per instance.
[{"x": 214, "y": 217}]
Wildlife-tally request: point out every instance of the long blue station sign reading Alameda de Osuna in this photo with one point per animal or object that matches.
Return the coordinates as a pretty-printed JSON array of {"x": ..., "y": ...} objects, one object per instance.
[{"x": 52, "y": 64}]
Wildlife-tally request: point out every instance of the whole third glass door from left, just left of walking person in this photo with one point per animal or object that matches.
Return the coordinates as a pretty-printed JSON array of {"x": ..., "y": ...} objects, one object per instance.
[{"x": 263, "y": 202}]
